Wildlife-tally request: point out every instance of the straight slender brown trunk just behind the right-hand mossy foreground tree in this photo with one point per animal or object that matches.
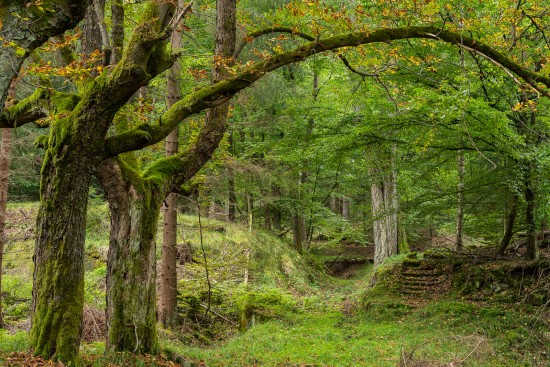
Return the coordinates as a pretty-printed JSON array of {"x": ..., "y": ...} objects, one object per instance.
[{"x": 168, "y": 282}]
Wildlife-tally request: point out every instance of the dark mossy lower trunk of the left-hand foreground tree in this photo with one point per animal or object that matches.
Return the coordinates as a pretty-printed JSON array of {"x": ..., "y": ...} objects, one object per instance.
[{"x": 58, "y": 288}]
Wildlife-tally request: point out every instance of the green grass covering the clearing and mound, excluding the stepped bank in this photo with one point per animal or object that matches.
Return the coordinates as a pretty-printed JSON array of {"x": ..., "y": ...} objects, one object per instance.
[{"x": 297, "y": 316}]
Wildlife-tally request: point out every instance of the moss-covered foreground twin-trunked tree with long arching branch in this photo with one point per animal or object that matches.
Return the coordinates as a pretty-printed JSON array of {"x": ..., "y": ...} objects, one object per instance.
[{"x": 79, "y": 145}]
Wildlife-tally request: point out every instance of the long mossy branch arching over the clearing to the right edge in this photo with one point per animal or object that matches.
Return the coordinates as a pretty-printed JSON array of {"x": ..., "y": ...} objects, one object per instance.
[{"x": 218, "y": 93}]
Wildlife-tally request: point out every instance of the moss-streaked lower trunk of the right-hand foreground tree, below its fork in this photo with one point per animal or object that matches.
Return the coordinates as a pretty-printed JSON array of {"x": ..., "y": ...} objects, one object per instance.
[{"x": 134, "y": 204}]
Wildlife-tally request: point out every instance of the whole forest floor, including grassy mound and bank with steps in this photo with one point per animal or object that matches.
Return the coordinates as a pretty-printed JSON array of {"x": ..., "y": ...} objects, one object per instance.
[{"x": 307, "y": 310}]
